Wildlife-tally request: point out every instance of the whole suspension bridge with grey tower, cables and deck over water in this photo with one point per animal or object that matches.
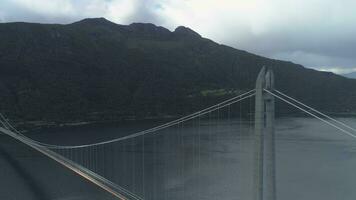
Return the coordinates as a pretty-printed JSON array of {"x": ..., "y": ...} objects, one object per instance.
[{"x": 145, "y": 164}]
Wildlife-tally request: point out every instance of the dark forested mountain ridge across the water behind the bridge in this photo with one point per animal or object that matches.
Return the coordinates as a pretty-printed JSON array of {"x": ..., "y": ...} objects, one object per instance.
[{"x": 98, "y": 70}]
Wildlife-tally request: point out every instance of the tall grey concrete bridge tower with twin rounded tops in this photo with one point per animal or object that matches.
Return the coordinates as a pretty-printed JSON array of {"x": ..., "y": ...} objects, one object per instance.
[{"x": 264, "y": 172}]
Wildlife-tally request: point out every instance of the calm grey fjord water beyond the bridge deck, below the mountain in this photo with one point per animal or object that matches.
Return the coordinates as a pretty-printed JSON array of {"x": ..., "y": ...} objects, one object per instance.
[{"x": 215, "y": 159}]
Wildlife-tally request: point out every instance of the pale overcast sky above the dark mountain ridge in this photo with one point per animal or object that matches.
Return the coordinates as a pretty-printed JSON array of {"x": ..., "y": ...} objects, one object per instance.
[{"x": 319, "y": 34}]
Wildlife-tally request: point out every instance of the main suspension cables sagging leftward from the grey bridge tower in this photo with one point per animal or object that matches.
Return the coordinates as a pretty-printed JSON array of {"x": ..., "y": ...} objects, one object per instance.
[{"x": 223, "y": 104}]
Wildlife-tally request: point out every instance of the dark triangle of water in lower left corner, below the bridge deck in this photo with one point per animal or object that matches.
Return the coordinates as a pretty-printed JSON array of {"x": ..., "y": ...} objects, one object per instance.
[{"x": 26, "y": 174}]
